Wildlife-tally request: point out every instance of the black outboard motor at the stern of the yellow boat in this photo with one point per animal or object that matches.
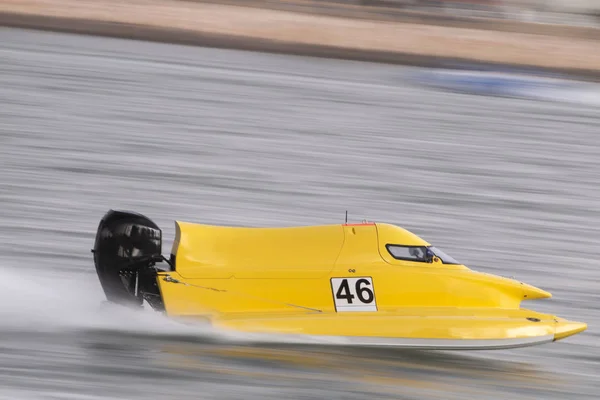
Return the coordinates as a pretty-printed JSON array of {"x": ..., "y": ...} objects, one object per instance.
[{"x": 128, "y": 245}]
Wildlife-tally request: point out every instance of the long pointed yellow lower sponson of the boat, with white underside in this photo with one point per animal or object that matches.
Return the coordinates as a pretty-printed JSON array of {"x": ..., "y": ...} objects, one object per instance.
[{"x": 432, "y": 328}]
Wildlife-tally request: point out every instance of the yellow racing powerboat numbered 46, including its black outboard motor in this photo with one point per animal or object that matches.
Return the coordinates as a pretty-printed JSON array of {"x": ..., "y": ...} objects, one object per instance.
[{"x": 369, "y": 284}]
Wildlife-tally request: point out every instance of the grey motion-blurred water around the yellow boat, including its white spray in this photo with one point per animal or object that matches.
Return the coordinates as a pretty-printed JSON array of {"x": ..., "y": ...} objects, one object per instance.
[{"x": 504, "y": 185}]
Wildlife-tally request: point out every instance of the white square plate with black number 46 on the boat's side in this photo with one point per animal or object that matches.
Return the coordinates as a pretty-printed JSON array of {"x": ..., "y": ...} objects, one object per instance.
[{"x": 353, "y": 294}]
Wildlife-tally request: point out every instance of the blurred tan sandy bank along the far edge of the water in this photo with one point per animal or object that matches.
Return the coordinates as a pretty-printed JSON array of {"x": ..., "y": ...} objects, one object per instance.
[{"x": 339, "y": 35}]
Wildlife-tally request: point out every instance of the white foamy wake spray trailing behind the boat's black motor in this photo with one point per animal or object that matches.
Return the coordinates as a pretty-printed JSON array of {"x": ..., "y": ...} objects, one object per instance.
[{"x": 49, "y": 302}]
